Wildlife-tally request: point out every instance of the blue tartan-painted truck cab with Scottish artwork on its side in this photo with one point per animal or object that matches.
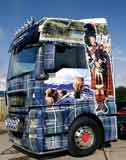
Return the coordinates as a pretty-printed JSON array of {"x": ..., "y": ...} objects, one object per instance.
[{"x": 60, "y": 86}]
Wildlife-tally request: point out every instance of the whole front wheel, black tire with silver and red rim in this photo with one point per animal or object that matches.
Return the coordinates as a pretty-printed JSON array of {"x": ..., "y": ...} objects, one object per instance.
[{"x": 84, "y": 137}]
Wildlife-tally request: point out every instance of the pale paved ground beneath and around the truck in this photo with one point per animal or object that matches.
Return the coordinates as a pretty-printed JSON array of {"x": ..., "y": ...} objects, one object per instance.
[{"x": 117, "y": 151}]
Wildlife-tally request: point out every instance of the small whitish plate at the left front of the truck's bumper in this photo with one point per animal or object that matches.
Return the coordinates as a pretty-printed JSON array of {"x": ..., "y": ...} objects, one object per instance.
[{"x": 12, "y": 124}]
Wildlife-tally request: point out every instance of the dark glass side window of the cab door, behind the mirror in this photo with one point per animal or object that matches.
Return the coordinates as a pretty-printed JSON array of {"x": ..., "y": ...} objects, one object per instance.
[{"x": 69, "y": 57}]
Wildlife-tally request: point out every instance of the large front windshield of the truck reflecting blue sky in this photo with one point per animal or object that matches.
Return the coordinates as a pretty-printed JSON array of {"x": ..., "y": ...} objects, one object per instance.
[{"x": 23, "y": 61}]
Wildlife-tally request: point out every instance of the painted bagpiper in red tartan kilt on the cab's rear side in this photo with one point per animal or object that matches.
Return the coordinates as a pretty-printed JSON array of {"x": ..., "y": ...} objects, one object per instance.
[{"x": 99, "y": 62}]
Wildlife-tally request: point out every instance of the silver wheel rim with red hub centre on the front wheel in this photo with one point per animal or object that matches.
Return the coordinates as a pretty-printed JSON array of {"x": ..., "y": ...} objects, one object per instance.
[{"x": 84, "y": 137}]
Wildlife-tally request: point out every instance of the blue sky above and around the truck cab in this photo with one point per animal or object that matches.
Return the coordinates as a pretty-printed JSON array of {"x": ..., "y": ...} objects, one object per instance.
[{"x": 13, "y": 14}]
